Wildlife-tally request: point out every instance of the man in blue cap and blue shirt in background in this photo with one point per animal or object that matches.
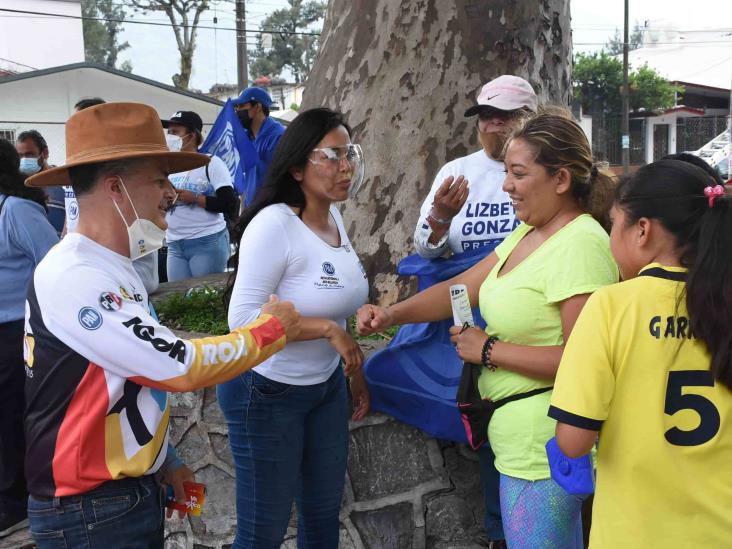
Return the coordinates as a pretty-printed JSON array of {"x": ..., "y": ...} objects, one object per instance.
[{"x": 252, "y": 108}]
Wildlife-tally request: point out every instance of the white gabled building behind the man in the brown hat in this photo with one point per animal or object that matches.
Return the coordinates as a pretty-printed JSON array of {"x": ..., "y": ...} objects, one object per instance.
[{"x": 44, "y": 100}]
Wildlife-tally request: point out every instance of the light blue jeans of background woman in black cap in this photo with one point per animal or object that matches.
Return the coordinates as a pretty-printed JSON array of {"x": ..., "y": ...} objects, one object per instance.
[{"x": 198, "y": 256}]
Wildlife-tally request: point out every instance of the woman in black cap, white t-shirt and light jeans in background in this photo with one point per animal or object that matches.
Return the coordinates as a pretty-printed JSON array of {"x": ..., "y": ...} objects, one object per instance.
[{"x": 197, "y": 236}]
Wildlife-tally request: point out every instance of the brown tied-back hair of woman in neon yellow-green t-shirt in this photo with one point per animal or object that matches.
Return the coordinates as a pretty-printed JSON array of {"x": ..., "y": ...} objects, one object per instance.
[{"x": 559, "y": 142}]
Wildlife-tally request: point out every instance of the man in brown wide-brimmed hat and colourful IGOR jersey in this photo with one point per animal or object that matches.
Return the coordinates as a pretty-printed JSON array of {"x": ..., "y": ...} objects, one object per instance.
[{"x": 98, "y": 366}]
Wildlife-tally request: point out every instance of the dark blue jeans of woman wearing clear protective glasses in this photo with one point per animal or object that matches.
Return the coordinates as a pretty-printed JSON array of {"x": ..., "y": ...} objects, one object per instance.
[{"x": 289, "y": 442}]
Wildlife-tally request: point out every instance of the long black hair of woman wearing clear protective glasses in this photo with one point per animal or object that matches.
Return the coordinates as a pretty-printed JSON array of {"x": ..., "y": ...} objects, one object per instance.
[{"x": 301, "y": 137}]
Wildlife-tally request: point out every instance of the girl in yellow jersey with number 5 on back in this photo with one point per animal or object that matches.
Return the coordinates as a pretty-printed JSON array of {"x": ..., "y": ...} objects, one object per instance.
[{"x": 649, "y": 367}]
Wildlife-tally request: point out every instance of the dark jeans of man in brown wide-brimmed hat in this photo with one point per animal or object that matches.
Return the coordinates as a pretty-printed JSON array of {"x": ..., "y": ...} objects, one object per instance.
[{"x": 118, "y": 514}]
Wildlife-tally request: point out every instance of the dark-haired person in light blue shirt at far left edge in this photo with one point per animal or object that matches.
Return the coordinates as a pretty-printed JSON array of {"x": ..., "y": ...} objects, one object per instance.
[{"x": 25, "y": 238}]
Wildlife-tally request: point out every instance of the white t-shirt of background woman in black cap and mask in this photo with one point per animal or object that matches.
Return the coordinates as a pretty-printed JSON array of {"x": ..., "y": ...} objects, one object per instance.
[{"x": 192, "y": 221}]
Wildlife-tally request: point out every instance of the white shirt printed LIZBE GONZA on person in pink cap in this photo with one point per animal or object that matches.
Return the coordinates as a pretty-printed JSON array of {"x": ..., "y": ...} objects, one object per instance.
[{"x": 487, "y": 216}]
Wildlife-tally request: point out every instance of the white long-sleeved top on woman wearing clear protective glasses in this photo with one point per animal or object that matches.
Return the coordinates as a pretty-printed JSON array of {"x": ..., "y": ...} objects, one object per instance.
[{"x": 280, "y": 255}]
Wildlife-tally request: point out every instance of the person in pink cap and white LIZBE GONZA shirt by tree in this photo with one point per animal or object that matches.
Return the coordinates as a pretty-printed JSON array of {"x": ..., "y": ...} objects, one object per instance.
[{"x": 467, "y": 210}]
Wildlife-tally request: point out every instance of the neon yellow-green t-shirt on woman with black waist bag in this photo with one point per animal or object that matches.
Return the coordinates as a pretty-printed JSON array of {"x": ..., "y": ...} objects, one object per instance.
[{"x": 522, "y": 307}]
